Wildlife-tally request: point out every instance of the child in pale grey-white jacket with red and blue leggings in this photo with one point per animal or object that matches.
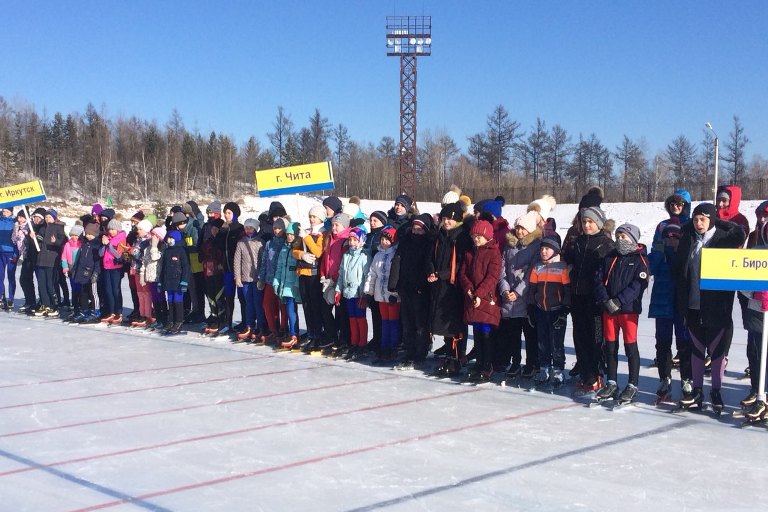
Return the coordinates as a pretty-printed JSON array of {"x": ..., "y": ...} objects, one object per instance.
[{"x": 387, "y": 301}]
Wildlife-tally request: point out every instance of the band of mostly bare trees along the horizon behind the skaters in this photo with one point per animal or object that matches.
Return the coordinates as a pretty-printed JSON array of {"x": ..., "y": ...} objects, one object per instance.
[{"x": 91, "y": 156}]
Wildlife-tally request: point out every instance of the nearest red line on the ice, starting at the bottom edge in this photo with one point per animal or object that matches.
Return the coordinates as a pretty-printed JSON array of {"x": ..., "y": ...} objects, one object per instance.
[{"x": 322, "y": 458}]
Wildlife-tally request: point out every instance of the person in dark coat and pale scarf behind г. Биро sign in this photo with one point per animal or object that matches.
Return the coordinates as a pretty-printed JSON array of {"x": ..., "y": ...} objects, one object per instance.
[{"x": 708, "y": 312}]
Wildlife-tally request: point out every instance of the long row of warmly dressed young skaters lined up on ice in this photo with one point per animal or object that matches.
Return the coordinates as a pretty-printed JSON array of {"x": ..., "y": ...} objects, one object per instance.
[{"x": 421, "y": 276}]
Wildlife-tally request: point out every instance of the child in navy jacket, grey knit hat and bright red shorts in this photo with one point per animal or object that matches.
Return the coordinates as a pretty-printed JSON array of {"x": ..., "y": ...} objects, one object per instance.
[{"x": 621, "y": 279}]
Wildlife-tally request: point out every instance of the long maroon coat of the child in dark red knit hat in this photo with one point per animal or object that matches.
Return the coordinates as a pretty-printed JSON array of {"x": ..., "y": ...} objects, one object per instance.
[{"x": 479, "y": 274}]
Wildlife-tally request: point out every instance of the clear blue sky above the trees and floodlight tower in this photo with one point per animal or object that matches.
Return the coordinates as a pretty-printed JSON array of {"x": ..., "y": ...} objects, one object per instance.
[{"x": 654, "y": 68}]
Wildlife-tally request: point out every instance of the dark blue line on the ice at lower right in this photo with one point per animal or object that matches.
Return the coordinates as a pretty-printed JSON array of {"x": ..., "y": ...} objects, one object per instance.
[{"x": 513, "y": 469}]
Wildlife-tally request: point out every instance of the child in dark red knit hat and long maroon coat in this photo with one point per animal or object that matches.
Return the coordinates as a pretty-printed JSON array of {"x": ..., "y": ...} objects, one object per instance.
[{"x": 479, "y": 276}]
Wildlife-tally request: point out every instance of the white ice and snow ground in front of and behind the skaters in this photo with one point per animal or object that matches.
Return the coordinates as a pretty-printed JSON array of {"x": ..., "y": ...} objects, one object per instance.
[{"x": 108, "y": 418}]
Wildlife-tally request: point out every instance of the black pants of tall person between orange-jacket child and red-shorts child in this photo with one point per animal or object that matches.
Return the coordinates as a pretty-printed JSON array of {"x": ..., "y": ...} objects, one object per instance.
[{"x": 587, "y": 337}]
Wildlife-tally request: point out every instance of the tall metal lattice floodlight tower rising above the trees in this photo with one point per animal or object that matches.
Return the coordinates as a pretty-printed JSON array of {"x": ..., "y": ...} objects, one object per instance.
[{"x": 408, "y": 37}]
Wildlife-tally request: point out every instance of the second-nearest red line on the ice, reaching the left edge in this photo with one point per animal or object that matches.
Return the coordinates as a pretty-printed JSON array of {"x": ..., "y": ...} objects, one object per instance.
[{"x": 216, "y": 435}]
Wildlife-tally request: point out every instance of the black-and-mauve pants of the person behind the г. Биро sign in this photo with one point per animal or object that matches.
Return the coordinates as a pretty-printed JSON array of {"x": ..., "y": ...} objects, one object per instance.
[{"x": 715, "y": 340}]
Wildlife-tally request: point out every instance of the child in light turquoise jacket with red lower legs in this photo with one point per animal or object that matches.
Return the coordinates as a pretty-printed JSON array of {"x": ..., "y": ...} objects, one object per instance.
[{"x": 350, "y": 285}]
